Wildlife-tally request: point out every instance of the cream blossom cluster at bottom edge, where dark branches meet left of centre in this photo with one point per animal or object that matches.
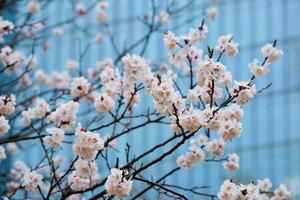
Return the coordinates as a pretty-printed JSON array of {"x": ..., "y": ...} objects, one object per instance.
[{"x": 117, "y": 183}]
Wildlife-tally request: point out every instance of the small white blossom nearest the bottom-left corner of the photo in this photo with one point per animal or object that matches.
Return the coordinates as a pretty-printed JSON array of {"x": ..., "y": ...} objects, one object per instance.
[{"x": 32, "y": 180}]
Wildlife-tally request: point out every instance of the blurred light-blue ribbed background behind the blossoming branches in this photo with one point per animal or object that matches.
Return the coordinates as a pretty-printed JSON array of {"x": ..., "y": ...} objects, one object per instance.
[{"x": 270, "y": 143}]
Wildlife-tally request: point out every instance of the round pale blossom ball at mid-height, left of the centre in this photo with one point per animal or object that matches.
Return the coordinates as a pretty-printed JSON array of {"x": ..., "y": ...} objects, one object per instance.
[{"x": 104, "y": 103}]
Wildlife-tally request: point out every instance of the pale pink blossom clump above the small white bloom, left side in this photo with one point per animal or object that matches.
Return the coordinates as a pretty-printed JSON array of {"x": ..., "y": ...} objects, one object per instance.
[{"x": 65, "y": 115}]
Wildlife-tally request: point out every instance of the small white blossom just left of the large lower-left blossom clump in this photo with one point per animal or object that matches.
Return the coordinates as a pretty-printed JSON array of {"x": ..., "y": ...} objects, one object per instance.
[{"x": 55, "y": 138}]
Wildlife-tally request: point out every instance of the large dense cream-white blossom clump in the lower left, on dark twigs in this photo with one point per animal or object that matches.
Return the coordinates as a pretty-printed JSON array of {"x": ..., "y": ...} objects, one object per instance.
[{"x": 87, "y": 144}]
